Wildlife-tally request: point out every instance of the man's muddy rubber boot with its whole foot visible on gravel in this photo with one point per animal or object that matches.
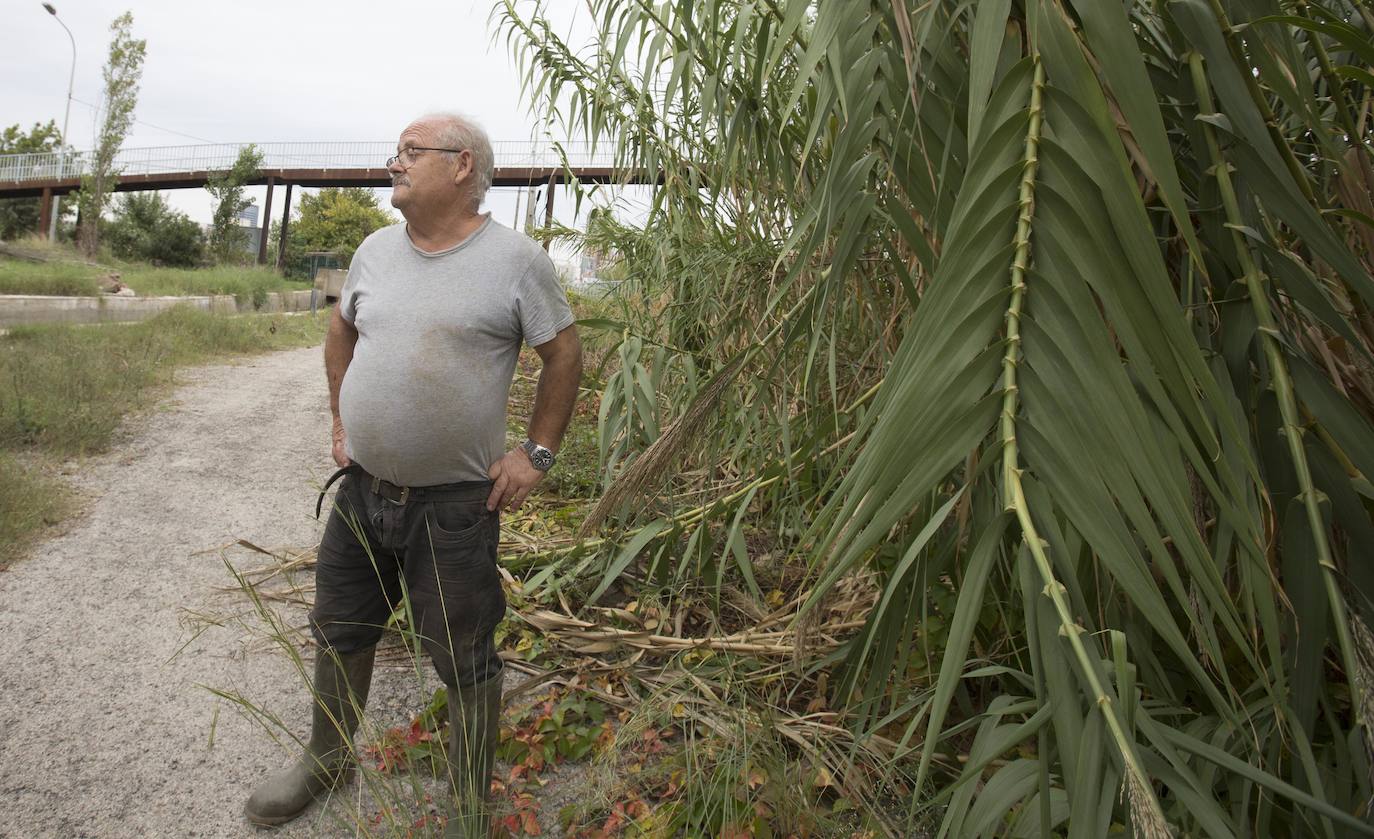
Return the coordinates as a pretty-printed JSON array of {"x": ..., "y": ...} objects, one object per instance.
[{"x": 328, "y": 760}]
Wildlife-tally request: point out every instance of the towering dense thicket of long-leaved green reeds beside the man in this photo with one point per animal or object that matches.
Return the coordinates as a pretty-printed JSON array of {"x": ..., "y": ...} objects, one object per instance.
[{"x": 1027, "y": 348}]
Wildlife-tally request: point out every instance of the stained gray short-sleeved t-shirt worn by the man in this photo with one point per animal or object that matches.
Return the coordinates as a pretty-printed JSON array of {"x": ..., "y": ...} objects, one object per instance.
[{"x": 424, "y": 400}]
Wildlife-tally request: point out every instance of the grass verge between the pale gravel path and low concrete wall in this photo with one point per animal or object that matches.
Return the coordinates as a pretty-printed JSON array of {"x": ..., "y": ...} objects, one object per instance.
[{"x": 65, "y": 391}]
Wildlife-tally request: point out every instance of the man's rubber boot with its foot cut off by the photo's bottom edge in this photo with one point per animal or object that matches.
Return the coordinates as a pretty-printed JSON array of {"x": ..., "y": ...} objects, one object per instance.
[{"x": 475, "y": 728}]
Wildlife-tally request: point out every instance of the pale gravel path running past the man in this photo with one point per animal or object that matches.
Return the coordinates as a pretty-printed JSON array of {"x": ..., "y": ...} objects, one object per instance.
[{"x": 108, "y": 722}]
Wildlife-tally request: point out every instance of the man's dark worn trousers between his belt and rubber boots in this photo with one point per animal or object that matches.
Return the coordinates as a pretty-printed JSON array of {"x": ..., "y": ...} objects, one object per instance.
[{"x": 433, "y": 558}]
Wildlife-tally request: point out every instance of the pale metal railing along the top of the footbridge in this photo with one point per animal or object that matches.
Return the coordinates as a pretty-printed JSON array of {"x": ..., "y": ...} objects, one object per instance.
[{"x": 167, "y": 160}]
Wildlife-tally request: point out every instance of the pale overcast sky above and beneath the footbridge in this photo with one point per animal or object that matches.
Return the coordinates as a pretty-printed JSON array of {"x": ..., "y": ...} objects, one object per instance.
[{"x": 274, "y": 71}]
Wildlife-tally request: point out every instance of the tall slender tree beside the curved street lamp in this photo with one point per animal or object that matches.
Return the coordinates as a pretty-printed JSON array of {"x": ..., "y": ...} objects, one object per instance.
[{"x": 122, "y": 76}]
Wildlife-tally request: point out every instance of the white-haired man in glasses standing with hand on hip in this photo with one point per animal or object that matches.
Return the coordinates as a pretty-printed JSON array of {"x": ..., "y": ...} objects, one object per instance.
[{"x": 420, "y": 355}]
